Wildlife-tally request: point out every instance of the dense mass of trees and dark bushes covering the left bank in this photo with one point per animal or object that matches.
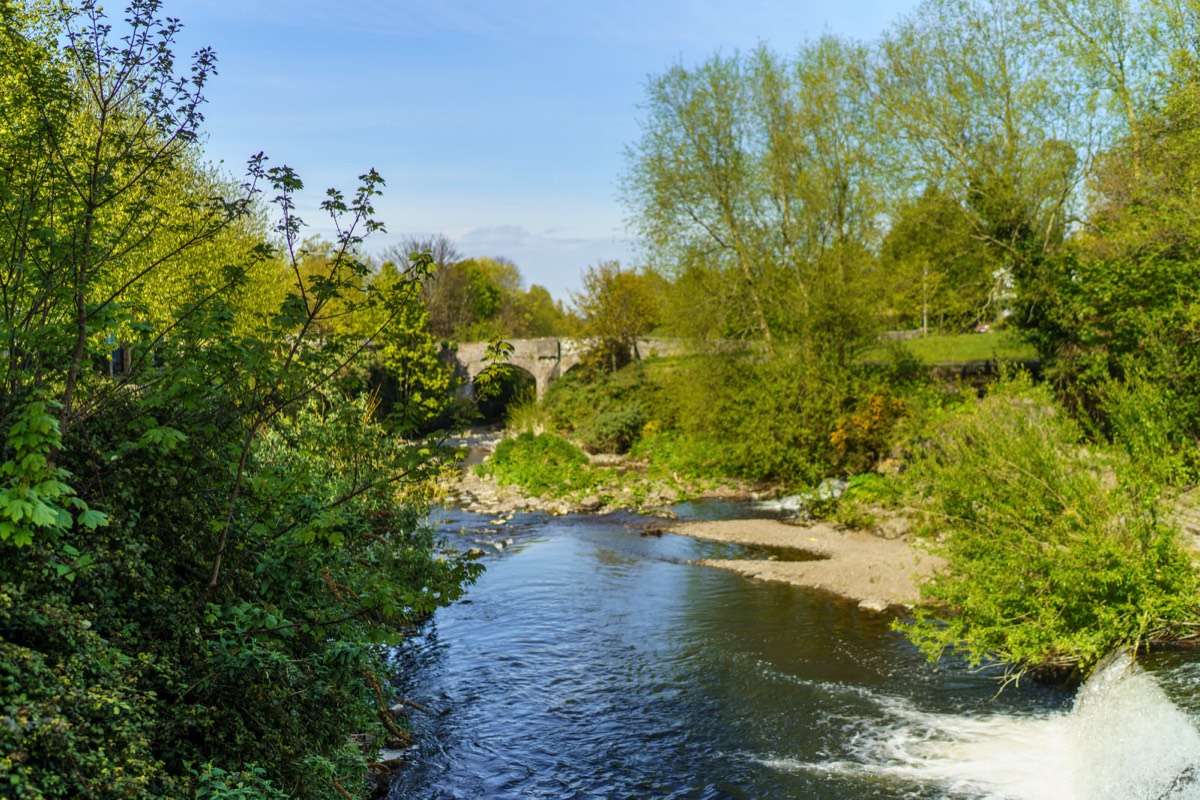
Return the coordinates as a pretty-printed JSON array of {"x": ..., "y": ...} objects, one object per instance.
[{"x": 203, "y": 558}]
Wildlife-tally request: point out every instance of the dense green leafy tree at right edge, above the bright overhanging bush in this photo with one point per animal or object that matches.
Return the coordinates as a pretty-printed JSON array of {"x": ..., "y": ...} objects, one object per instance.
[{"x": 1126, "y": 294}]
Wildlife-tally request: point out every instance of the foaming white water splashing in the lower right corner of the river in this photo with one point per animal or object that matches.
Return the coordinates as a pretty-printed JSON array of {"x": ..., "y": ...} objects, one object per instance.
[{"x": 1124, "y": 739}]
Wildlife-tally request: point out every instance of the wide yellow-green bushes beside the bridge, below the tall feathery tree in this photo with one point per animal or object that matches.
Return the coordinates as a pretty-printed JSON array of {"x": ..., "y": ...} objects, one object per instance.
[{"x": 722, "y": 416}]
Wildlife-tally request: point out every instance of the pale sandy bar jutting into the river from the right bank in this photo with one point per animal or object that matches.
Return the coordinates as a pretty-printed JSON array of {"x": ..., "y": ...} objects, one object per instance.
[{"x": 877, "y": 573}]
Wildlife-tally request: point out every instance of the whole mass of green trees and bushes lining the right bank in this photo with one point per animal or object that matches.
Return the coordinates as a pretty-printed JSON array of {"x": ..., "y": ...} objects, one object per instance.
[{"x": 1027, "y": 167}]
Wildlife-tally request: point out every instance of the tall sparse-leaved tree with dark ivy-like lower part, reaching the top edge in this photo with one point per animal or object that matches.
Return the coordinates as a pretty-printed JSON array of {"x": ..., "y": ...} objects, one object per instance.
[{"x": 986, "y": 106}]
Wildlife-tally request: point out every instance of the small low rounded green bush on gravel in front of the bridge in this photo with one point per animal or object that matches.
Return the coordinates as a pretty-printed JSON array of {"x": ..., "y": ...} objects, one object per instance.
[{"x": 543, "y": 466}]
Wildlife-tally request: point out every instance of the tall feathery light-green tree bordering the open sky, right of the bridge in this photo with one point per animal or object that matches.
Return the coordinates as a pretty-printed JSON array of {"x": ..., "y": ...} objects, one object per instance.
[{"x": 754, "y": 181}]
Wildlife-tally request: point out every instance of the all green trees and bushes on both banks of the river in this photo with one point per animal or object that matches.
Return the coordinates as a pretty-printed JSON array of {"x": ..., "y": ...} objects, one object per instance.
[{"x": 208, "y": 544}]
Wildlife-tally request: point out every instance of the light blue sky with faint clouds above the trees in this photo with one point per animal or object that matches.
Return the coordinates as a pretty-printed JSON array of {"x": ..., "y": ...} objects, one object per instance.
[{"x": 500, "y": 124}]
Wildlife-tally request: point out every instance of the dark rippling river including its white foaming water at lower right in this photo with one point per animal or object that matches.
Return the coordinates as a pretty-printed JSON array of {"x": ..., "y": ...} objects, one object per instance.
[{"x": 592, "y": 661}]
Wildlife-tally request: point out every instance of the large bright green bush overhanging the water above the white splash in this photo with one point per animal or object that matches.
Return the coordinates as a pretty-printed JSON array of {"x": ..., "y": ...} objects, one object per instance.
[{"x": 1057, "y": 552}]
